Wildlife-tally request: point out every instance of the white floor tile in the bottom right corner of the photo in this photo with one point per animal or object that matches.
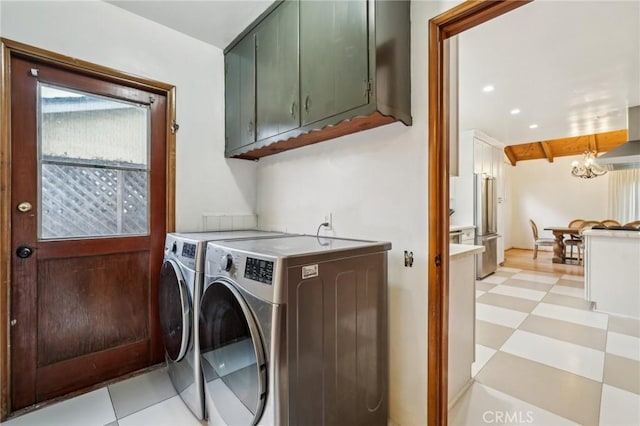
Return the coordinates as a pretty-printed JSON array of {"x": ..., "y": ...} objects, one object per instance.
[{"x": 619, "y": 407}]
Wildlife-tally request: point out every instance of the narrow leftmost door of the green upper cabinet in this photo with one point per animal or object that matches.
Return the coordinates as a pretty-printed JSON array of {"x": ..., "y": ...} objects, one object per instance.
[{"x": 240, "y": 94}]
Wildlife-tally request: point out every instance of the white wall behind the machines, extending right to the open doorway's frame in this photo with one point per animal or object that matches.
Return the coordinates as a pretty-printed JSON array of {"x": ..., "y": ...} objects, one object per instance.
[{"x": 375, "y": 184}]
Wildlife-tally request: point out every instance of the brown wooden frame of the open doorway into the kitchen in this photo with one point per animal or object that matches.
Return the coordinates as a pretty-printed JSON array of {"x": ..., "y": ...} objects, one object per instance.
[{"x": 448, "y": 24}]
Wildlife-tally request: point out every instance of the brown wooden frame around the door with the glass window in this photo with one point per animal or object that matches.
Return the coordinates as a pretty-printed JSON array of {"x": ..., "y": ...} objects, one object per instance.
[{"x": 9, "y": 49}]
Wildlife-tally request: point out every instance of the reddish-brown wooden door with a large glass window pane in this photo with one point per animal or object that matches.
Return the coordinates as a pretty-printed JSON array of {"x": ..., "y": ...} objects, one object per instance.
[{"x": 88, "y": 224}]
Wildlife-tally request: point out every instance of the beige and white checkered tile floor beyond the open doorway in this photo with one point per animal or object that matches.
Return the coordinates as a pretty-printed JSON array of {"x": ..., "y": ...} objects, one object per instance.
[{"x": 543, "y": 357}]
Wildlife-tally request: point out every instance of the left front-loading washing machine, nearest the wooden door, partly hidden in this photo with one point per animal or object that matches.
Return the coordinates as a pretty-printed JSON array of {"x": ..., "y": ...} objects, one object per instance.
[{"x": 179, "y": 293}]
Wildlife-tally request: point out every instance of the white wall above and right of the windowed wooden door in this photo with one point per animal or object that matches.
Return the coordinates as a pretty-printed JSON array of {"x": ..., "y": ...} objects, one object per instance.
[{"x": 104, "y": 34}]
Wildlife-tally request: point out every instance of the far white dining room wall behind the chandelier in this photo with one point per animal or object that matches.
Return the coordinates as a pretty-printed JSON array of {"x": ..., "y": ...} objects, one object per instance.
[{"x": 551, "y": 196}]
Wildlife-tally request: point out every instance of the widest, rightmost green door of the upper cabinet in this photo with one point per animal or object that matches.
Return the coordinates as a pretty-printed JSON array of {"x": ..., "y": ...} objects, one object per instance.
[{"x": 333, "y": 58}]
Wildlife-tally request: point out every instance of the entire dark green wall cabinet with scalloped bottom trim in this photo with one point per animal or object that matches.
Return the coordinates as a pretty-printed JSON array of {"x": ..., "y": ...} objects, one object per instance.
[{"x": 307, "y": 71}]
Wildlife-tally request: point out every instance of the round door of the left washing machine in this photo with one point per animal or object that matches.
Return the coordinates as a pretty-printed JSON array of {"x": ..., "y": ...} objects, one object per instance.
[{"x": 174, "y": 310}]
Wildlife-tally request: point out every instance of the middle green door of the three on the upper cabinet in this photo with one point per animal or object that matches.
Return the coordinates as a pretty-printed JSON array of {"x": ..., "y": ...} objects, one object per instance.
[{"x": 278, "y": 84}]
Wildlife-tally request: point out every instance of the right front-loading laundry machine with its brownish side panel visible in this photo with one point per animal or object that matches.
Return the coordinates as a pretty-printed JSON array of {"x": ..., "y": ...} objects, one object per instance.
[{"x": 293, "y": 331}]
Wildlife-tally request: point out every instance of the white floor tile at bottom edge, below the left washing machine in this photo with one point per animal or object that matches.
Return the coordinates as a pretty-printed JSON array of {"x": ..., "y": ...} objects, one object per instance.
[{"x": 167, "y": 413}]
